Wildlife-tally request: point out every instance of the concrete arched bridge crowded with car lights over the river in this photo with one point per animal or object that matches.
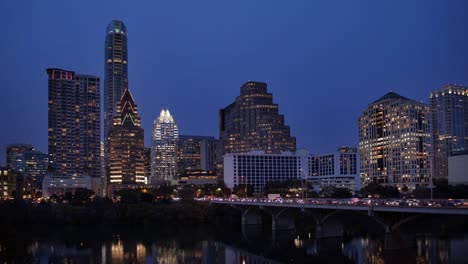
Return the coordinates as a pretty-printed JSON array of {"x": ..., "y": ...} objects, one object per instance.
[{"x": 284, "y": 211}]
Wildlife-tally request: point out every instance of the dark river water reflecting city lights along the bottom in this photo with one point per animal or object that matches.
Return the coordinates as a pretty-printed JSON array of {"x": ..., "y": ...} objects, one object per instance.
[{"x": 435, "y": 243}]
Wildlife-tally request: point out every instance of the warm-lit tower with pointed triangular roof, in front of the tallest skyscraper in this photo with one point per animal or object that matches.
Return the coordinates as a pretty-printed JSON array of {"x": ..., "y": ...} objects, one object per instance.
[{"x": 126, "y": 144}]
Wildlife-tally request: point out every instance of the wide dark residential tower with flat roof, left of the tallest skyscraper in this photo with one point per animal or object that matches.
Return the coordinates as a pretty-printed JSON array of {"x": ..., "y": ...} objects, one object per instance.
[{"x": 74, "y": 123}]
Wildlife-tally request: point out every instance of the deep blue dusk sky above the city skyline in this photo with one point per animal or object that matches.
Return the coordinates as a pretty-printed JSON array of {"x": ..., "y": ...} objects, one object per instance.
[{"x": 324, "y": 61}]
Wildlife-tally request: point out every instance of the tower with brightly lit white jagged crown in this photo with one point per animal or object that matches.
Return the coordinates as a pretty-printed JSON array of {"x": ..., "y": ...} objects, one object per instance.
[{"x": 164, "y": 148}]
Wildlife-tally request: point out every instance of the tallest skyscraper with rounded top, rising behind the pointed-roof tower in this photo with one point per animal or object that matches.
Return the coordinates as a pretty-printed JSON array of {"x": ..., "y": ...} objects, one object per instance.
[{"x": 115, "y": 70}]
